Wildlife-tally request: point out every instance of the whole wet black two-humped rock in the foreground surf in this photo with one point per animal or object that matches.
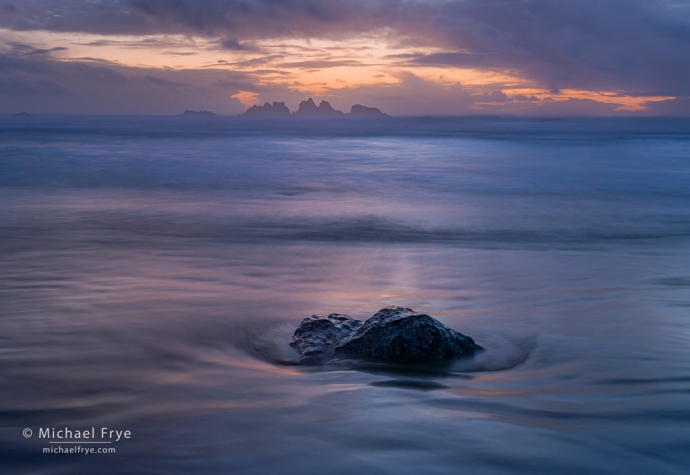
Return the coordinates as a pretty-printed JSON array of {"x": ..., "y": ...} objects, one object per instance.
[{"x": 393, "y": 334}]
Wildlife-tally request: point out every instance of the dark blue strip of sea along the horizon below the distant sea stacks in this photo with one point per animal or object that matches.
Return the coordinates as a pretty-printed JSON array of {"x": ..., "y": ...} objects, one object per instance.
[{"x": 513, "y": 128}]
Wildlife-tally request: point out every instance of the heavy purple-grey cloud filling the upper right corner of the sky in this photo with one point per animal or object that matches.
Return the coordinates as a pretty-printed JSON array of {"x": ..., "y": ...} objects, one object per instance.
[{"x": 638, "y": 45}]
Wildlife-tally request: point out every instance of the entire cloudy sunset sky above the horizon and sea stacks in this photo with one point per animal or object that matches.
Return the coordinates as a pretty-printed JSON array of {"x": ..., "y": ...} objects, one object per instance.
[{"x": 415, "y": 57}]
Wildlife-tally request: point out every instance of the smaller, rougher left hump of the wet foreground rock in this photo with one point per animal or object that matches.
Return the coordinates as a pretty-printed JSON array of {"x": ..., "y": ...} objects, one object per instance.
[{"x": 316, "y": 337}]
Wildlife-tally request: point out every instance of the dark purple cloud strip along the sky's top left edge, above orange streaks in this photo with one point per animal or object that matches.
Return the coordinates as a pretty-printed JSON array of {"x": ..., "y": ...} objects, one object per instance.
[{"x": 240, "y": 19}]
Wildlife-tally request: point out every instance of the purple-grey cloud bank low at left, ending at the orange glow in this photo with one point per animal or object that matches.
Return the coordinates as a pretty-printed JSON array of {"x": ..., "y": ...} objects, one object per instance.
[{"x": 43, "y": 85}]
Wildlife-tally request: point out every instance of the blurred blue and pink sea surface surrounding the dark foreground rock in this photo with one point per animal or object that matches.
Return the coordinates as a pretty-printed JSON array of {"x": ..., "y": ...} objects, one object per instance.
[{"x": 152, "y": 277}]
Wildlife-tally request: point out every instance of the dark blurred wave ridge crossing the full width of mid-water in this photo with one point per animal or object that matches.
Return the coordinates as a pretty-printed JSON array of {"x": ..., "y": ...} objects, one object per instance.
[{"x": 116, "y": 228}]
